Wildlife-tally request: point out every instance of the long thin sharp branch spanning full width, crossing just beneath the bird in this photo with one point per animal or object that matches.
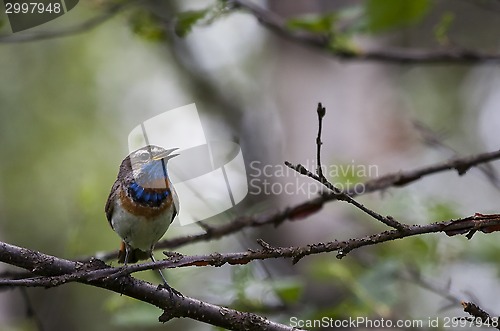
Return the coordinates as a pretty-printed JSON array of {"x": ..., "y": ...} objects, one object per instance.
[{"x": 96, "y": 270}]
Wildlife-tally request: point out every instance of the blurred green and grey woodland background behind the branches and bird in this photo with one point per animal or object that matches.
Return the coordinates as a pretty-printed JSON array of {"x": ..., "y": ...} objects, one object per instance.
[{"x": 68, "y": 104}]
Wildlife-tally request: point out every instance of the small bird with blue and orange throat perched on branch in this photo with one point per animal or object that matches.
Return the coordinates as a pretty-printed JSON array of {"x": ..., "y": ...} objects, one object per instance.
[{"x": 142, "y": 203}]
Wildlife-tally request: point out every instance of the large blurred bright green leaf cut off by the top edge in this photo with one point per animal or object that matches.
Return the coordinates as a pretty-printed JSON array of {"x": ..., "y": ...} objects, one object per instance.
[{"x": 389, "y": 14}]
